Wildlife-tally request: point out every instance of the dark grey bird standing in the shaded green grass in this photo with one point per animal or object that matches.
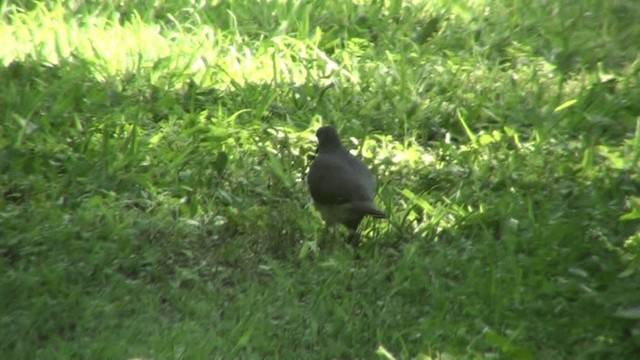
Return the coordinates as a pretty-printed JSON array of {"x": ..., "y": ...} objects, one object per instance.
[{"x": 341, "y": 185}]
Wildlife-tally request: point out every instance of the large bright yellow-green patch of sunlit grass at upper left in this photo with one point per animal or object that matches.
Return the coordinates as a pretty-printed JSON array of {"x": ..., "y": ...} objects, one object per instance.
[{"x": 207, "y": 55}]
